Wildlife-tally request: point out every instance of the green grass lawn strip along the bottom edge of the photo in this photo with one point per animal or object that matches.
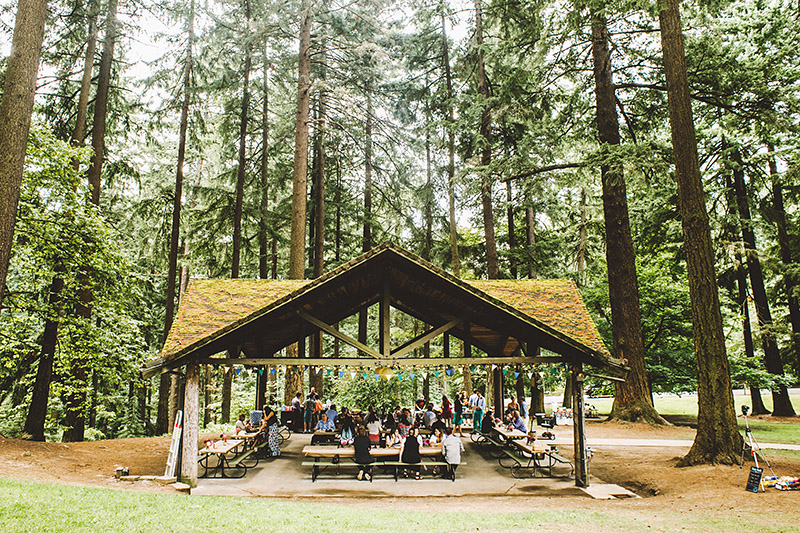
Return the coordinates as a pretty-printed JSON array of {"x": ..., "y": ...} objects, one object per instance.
[{"x": 27, "y": 506}]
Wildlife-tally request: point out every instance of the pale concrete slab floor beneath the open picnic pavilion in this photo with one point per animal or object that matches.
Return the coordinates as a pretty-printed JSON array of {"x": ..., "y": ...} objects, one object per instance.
[{"x": 481, "y": 475}]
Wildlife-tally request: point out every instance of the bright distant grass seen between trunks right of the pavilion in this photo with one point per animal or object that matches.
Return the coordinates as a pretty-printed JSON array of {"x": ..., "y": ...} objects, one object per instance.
[{"x": 685, "y": 409}]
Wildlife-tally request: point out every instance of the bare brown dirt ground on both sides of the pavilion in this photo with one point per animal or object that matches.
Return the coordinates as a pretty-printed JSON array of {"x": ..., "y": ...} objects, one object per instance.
[{"x": 648, "y": 471}]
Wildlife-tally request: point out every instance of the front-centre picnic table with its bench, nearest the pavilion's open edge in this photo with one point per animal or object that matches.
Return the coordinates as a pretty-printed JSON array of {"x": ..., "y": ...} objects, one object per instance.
[{"x": 325, "y": 456}]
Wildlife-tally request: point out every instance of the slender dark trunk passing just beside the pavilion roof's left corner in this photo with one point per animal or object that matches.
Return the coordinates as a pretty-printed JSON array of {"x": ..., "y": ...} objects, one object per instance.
[{"x": 162, "y": 418}]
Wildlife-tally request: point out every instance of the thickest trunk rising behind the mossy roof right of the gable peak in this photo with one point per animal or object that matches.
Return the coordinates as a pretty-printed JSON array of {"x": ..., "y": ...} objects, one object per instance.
[{"x": 492, "y": 267}]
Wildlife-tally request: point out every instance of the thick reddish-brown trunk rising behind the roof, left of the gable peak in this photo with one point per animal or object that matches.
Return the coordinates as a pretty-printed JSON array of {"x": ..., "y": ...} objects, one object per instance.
[{"x": 297, "y": 248}]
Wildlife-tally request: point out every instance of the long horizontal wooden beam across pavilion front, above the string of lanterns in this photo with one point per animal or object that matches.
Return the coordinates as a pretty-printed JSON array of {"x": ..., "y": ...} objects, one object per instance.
[{"x": 385, "y": 361}]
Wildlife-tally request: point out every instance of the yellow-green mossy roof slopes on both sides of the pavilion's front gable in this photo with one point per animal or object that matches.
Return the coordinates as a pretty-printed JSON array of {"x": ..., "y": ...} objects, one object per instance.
[{"x": 212, "y": 305}]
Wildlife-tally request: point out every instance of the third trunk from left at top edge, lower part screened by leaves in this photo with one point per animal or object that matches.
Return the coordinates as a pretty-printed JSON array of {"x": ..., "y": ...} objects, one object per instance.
[{"x": 75, "y": 415}]
